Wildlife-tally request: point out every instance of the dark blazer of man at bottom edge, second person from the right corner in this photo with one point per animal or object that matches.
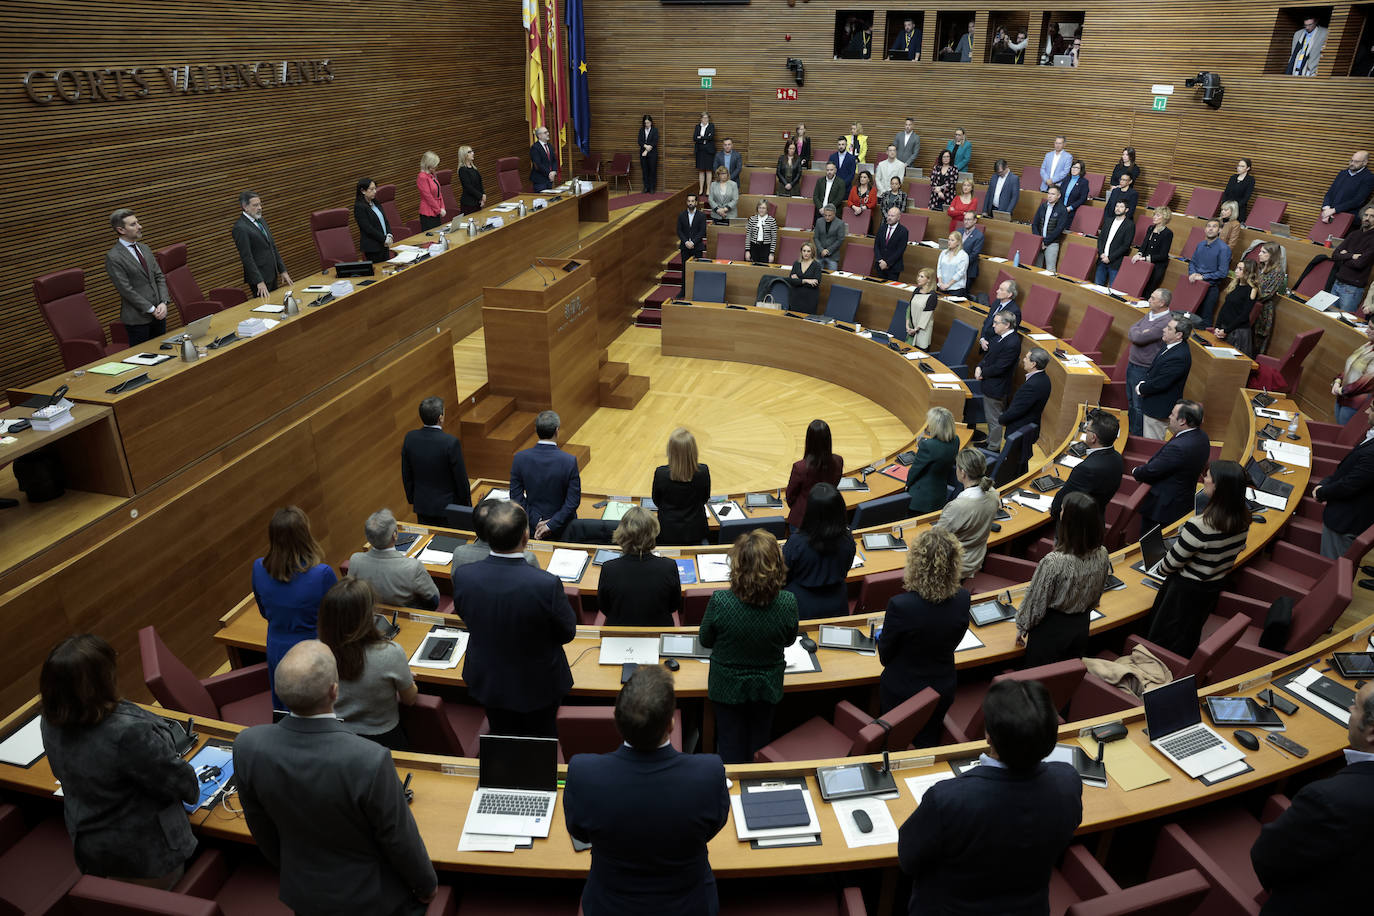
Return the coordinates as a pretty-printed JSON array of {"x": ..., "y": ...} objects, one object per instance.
[{"x": 987, "y": 843}]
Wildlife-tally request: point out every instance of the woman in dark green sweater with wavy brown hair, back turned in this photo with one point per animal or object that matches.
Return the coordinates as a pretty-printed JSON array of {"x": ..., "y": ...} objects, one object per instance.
[{"x": 748, "y": 627}]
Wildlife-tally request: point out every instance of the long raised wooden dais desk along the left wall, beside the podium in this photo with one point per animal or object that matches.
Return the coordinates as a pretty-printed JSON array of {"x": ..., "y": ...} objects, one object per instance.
[{"x": 164, "y": 426}]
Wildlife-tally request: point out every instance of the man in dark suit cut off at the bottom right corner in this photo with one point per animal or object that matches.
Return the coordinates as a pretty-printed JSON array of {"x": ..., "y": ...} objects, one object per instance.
[{"x": 1311, "y": 856}]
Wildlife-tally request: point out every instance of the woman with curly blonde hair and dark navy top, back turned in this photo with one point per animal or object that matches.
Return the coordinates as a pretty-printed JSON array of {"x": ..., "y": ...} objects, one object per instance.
[{"x": 923, "y": 627}]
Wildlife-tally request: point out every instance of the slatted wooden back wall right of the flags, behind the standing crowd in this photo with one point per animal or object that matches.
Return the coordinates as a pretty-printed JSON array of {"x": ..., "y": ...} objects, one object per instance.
[{"x": 1299, "y": 131}]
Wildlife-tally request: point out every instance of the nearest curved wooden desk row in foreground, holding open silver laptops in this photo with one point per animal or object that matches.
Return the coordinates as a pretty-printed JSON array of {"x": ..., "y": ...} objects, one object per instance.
[{"x": 444, "y": 786}]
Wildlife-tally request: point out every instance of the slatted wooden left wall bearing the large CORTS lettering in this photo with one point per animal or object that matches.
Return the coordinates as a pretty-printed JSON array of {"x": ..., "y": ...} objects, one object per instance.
[{"x": 407, "y": 78}]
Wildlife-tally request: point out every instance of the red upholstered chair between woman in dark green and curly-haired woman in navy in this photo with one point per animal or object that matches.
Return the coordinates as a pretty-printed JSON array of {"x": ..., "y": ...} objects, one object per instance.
[{"x": 854, "y": 733}]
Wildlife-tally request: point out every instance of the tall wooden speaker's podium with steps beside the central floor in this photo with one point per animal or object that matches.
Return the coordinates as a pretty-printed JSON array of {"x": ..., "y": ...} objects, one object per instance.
[{"x": 542, "y": 350}]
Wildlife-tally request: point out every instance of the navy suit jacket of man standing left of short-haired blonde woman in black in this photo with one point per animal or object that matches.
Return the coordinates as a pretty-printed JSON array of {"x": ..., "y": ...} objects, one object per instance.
[{"x": 519, "y": 619}]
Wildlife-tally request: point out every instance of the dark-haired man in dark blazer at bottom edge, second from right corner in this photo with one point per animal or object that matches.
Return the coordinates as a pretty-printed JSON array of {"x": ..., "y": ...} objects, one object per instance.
[{"x": 987, "y": 843}]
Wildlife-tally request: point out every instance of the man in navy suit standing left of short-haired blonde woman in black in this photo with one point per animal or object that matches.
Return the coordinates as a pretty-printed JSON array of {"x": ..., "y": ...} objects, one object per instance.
[{"x": 519, "y": 619}]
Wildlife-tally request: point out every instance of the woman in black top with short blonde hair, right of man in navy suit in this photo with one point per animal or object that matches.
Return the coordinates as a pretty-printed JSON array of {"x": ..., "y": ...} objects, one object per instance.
[{"x": 640, "y": 588}]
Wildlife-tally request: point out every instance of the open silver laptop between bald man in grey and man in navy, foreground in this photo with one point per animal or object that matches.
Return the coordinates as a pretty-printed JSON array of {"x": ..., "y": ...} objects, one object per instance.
[{"x": 517, "y": 786}]
